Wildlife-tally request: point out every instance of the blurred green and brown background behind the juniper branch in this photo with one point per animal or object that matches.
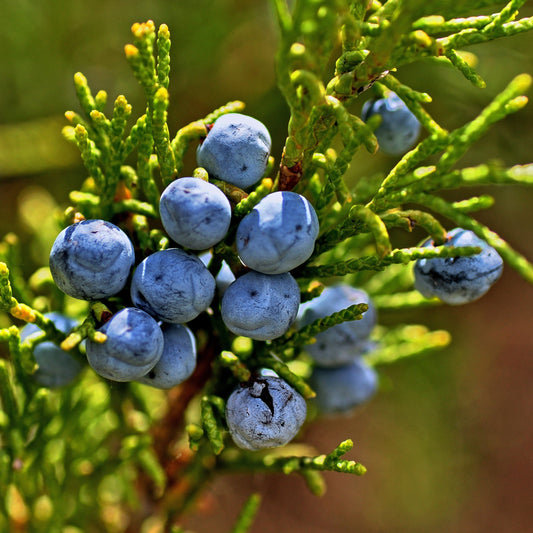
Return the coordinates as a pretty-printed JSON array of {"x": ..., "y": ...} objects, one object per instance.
[{"x": 448, "y": 440}]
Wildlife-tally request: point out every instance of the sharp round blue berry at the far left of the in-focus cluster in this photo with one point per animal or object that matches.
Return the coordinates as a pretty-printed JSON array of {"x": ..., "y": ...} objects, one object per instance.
[{"x": 91, "y": 259}]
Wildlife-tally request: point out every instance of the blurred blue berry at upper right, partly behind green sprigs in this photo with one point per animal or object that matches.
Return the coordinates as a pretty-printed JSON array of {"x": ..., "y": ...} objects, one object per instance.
[{"x": 399, "y": 128}]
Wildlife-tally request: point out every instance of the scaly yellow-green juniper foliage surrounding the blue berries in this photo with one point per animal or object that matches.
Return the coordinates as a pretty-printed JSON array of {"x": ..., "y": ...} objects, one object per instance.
[{"x": 101, "y": 456}]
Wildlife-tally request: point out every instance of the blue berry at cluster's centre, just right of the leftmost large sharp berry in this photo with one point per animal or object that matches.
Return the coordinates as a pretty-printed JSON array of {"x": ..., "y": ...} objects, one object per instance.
[{"x": 172, "y": 285}]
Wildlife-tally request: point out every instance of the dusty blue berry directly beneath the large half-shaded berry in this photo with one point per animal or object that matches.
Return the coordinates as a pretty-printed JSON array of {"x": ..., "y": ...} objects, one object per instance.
[{"x": 261, "y": 306}]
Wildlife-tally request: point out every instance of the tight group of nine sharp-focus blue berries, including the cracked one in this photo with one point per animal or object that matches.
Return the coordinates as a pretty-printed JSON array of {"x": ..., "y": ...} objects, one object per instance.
[{"x": 149, "y": 340}]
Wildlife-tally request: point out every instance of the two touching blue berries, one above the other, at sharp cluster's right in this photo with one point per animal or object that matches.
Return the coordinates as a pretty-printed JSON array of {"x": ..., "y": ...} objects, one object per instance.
[{"x": 276, "y": 236}]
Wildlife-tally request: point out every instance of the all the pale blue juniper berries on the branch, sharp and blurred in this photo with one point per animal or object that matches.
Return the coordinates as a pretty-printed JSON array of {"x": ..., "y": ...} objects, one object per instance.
[{"x": 150, "y": 342}]
